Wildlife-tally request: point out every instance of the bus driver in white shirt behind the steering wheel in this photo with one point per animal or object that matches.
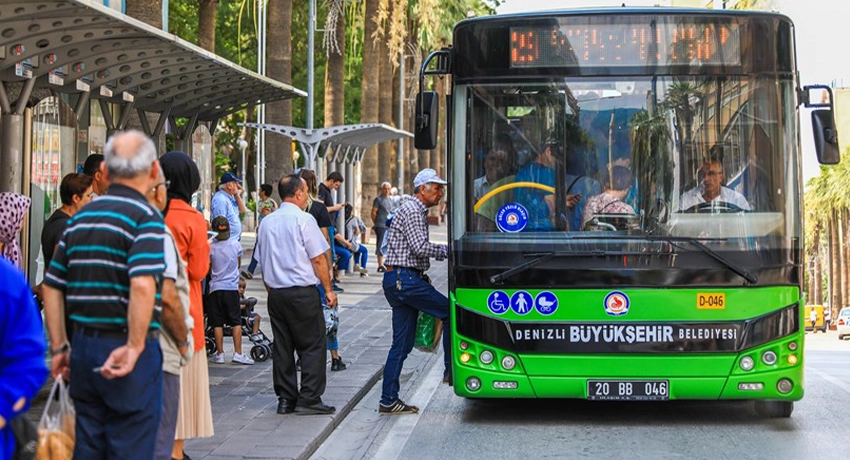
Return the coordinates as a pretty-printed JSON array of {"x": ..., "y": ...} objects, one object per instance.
[{"x": 711, "y": 193}]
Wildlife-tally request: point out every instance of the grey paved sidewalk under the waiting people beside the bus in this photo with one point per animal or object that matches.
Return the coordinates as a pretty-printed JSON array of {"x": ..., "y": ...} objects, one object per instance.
[{"x": 243, "y": 399}]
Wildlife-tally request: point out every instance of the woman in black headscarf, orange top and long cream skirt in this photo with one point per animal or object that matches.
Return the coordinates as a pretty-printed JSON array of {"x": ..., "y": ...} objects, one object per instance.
[{"x": 194, "y": 418}]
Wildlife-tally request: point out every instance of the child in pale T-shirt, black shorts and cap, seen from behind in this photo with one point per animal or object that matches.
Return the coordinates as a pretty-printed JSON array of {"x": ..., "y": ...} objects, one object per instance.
[{"x": 223, "y": 308}]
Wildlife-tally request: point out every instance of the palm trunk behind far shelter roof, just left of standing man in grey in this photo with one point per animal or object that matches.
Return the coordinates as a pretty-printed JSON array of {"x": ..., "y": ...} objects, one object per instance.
[{"x": 369, "y": 106}]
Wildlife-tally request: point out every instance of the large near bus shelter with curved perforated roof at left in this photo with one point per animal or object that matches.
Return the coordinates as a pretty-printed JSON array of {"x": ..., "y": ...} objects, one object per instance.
[{"x": 80, "y": 52}]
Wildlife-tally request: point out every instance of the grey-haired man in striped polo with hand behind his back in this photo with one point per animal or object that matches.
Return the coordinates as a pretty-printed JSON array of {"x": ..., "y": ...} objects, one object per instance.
[{"x": 106, "y": 274}]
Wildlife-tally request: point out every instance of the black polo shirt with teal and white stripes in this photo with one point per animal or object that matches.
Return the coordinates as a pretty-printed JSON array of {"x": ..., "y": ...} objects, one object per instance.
[{"x": 109, "y": 241}]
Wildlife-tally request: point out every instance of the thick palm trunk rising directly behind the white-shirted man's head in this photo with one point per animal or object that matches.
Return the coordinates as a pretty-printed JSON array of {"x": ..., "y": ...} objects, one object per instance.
[{"x": 279, "y": 67}]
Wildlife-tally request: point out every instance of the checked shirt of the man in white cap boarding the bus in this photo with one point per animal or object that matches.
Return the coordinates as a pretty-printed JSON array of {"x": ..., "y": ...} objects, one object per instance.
[{"x": 408, "y": 243}]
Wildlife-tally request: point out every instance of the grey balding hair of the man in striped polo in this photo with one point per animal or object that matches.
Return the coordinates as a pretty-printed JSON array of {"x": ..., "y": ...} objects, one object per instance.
[{"x": 129, "y": 154}]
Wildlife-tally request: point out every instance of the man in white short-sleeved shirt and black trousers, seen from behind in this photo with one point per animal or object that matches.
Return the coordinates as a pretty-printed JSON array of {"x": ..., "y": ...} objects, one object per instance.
[{"x": 291, "y": 272}]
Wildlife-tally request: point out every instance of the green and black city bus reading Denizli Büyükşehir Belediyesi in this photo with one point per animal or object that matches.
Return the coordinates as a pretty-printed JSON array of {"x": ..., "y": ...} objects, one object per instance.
[{"x": 625, "y": 215}]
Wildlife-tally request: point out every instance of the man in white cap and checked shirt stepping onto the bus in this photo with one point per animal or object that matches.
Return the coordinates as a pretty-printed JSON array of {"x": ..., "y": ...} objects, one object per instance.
[{"x": 408, "y": 289}]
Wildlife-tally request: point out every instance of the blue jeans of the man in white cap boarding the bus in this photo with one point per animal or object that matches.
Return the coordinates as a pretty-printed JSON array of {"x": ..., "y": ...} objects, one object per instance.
[{"x": 415, "y": 295}]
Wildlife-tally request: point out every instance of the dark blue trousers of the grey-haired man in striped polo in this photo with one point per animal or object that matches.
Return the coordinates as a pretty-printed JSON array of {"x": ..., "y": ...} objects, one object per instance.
[{"x": 116, "y": 418}]
